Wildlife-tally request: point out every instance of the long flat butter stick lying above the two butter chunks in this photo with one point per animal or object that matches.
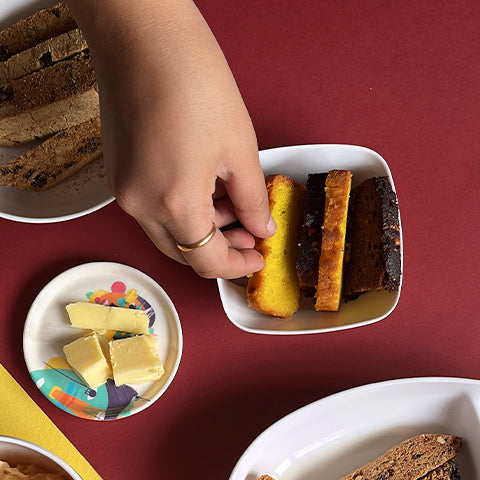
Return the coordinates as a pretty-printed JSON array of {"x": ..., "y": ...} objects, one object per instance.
[{"x": 98, "y": 317}]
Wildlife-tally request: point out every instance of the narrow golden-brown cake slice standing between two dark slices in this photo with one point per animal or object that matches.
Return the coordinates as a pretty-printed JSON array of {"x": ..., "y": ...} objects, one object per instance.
[{"x": 330, "y": 266}]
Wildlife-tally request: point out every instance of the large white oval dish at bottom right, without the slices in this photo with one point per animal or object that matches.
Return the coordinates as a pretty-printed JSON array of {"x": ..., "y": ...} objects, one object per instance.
[{"x": 332, "y": 437}]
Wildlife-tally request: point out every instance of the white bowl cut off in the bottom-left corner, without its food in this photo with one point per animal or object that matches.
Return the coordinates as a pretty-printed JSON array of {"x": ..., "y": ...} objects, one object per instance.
[{"x": 16, "y": 451}]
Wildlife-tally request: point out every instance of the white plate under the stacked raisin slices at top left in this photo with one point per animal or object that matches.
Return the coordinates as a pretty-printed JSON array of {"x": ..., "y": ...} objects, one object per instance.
[{"x": 81, "y": 194}]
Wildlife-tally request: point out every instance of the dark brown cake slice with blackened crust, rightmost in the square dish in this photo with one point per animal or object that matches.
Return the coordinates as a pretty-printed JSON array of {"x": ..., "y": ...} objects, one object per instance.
[{"x": 373, "y": 234}]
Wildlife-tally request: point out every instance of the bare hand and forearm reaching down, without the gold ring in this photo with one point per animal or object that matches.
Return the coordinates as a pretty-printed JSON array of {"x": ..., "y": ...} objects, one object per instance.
[{"x": 179, "y": 145}]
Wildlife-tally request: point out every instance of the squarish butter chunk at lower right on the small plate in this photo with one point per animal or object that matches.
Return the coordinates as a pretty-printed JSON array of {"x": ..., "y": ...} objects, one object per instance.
[{"x": 135, "y": 360}]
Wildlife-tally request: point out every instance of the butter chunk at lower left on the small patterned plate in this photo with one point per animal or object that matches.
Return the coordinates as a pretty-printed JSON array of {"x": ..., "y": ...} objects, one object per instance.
[{"x": 87, "y": 358}]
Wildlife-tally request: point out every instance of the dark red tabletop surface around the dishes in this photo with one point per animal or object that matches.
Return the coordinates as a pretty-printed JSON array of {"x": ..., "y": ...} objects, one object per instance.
[{"x": 401, "y": 78}]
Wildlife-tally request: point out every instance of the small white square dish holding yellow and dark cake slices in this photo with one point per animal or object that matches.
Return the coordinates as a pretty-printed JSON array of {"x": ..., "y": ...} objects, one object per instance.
[{"x": 297, "y": 162}]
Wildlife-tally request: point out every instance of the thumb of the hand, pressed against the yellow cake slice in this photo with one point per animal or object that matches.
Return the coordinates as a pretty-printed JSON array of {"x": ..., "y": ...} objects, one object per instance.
[{"x": 249, "y": 197}]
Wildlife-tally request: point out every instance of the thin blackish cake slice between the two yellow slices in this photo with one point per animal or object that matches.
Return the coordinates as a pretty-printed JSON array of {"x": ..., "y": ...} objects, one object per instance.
[{"x": 311, "y": 236}]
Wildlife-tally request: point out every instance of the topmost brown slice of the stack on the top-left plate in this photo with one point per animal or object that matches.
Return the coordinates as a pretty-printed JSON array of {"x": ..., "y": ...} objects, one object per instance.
[{"x": 35, "y": 29}]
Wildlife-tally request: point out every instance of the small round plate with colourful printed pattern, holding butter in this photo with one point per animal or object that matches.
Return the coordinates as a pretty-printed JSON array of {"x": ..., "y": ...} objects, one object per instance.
[{"x": 47, "y": 329}]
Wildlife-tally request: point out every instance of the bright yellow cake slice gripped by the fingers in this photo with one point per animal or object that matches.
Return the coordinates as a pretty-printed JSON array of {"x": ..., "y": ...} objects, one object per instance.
[{"x": 275, "y": 289}]
